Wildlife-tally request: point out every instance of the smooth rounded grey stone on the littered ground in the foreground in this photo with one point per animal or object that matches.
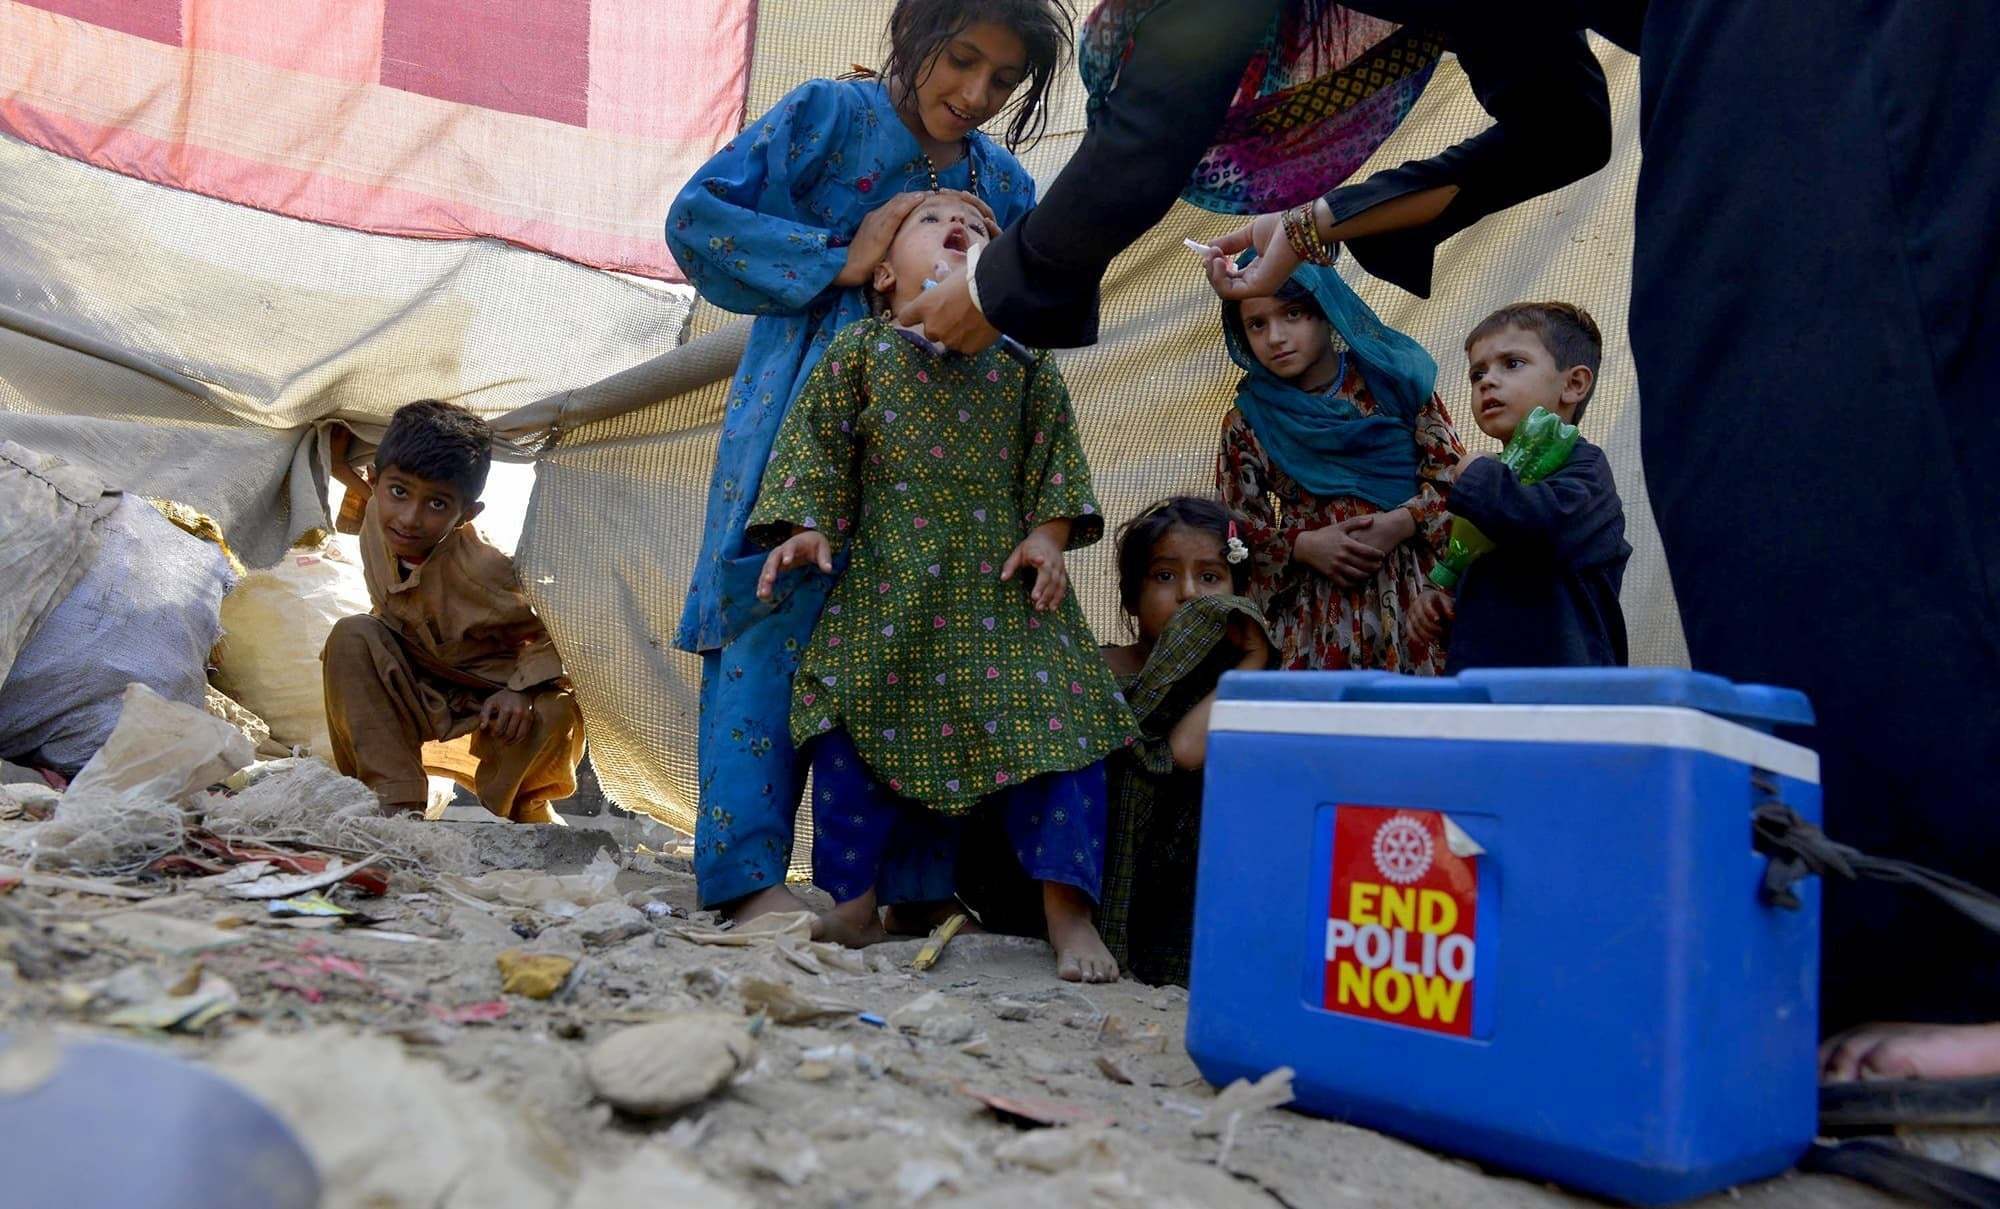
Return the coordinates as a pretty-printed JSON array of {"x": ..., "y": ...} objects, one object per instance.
[{"x": 657, "y": 1070}]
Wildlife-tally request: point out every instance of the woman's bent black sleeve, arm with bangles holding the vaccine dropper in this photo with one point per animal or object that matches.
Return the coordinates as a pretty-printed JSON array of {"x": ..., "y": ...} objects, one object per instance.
[{"x": 1553, "y": 125}]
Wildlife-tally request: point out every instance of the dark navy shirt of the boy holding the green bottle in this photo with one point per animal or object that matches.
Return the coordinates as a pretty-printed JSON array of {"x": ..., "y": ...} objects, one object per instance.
[{"x": 1549, "y": 593}]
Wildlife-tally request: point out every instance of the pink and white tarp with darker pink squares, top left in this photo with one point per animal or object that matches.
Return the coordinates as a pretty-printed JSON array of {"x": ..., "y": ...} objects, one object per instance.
[{"x": 555, "y": 125}]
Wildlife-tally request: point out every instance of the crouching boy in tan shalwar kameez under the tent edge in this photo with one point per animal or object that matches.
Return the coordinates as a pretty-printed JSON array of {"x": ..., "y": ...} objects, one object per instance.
[{"x": 453, "y": 646}]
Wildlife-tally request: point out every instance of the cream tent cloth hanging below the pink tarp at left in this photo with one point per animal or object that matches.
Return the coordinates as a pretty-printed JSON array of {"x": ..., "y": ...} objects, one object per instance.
[{"x": 185, "y": 347}]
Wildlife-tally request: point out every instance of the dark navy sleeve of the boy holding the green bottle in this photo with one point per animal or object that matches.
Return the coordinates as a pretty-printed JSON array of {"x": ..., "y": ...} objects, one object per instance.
[{"x": 1573, "y": 515}]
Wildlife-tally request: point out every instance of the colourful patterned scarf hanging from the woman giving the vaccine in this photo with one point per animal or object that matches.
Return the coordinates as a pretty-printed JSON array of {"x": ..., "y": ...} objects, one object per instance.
[{"x": 1321, "y": 95}]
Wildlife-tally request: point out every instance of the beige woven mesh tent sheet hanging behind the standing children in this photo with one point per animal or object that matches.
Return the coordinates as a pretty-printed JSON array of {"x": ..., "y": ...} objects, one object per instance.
[{"x": 617, "y": 519}]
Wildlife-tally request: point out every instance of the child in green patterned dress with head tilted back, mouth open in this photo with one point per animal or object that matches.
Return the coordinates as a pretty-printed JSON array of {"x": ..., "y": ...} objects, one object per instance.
[{"x": 951, "y": 670}]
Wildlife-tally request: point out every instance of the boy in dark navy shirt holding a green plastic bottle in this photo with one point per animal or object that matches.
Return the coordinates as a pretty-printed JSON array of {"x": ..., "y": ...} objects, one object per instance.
[{"x": 1547, "y": 591}]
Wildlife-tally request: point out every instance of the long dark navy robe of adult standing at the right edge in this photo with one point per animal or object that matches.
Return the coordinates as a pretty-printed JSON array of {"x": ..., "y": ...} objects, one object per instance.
[{"x": 1815, "y": 315}]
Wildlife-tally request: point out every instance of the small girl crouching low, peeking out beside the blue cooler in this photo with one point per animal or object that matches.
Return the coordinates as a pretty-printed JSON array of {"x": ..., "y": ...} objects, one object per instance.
[{"x": 1181, "y": 577}]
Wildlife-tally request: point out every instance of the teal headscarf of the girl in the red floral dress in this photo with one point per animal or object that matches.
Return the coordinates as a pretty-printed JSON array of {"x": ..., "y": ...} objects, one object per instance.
[{"x": 1323, "y": 441}]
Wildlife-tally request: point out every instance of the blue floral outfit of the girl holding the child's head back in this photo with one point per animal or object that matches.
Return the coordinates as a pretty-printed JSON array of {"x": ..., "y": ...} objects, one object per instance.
[{"x": 763, "y": 229}]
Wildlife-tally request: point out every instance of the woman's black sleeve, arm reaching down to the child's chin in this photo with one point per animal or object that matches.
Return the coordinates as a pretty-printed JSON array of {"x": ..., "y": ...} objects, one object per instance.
[{"x": 1039, "y": 281}]
